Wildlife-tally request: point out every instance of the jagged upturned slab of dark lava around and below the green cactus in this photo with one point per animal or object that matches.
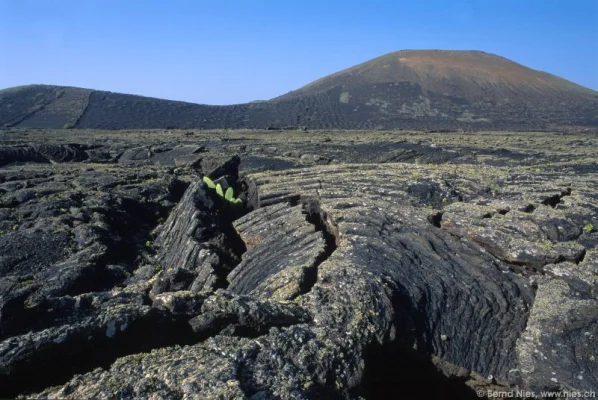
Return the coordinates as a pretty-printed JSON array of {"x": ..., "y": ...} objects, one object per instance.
[{"x": 198, "y": 245}]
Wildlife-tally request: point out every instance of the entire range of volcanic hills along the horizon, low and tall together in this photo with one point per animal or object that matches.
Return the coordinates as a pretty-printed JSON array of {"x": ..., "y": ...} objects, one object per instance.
[{"x": 427, "y": 89}]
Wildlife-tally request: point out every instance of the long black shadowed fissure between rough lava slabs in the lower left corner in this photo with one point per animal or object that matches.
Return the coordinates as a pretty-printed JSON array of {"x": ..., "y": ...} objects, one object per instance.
[{"x": 94, "y": 342}]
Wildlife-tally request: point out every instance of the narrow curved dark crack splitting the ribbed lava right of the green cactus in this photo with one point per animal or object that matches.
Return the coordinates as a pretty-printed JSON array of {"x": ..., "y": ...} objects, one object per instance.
[{"x": 322, "y": 222}]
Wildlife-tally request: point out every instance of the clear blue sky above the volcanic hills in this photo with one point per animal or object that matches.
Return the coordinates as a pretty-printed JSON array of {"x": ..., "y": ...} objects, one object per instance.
[{"x": 233, "y": 51}]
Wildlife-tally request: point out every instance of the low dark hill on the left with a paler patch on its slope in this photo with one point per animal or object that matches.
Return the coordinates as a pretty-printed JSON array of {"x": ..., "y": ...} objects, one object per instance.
[{"x": 43, "y": 106}]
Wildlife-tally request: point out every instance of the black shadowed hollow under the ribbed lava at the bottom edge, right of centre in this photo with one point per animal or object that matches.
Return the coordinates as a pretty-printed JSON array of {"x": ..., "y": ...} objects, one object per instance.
[{"x": 392, "y": 369}]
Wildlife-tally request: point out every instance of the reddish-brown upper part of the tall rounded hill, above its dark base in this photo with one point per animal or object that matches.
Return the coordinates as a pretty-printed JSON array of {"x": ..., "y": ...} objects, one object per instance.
[{"x": 464, "y": 73}]
